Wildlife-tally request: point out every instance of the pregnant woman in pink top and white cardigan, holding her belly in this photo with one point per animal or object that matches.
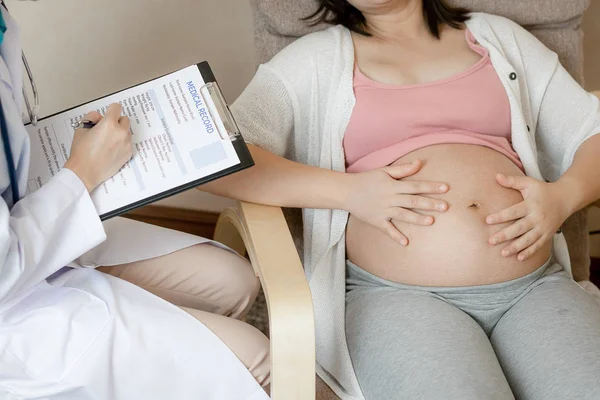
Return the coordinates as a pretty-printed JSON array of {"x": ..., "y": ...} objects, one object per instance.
[{"x": 436, "y": 153}]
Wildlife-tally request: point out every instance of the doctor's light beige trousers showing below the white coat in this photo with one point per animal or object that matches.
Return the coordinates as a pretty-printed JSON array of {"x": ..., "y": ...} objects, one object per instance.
[{"x": 213, "y": 285}]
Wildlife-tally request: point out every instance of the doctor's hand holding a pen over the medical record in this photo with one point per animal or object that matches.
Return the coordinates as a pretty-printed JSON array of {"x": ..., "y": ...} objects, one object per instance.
[{"x": 98, "y": 153}]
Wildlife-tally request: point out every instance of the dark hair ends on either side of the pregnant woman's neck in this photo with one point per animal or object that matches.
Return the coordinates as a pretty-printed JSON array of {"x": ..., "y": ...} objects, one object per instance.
[{"x": 435, "y": 12}]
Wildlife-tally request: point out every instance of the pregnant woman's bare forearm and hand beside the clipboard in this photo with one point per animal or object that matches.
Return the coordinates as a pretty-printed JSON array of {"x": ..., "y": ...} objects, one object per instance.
[{"x": 376, "y": 197}]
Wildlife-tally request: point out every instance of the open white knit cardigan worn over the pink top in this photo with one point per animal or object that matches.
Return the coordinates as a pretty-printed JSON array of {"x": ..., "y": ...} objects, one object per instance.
[{"x": 298, "y": 106}]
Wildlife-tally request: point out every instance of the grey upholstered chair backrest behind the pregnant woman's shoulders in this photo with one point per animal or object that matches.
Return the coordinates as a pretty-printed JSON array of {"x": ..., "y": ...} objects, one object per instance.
[{"x": 557, "y": 23}]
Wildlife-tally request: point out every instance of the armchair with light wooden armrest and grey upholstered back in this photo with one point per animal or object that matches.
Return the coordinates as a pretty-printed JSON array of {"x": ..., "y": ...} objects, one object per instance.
[{"x": 263, "y": 231}]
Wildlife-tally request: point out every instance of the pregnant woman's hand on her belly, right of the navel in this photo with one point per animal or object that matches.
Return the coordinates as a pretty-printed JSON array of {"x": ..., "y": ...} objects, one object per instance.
[{"x": 536, "y": 219}]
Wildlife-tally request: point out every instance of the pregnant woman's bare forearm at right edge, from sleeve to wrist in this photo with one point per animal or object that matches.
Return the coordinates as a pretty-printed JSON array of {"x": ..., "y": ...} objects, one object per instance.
[{"x": 581, "y": 183}]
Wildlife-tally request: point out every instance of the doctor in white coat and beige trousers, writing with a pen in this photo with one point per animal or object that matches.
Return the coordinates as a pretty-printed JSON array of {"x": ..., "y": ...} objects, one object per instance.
[{"x": 84, "y": 333}]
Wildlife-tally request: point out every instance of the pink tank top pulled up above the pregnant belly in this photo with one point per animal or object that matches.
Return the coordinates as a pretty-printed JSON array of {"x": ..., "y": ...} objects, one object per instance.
[{"x": 390, "y": 121}]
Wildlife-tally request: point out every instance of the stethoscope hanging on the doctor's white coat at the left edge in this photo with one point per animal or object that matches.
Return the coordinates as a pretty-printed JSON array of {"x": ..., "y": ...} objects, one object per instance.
[{"x": 33, "y": 117}]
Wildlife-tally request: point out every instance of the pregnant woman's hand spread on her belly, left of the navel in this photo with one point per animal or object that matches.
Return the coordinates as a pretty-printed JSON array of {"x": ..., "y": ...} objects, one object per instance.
[{"x": 379, "y": 197}]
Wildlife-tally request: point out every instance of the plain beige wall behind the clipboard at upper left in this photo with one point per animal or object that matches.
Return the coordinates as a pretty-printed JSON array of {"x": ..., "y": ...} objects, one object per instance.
[{"x": 83, "y": 49}]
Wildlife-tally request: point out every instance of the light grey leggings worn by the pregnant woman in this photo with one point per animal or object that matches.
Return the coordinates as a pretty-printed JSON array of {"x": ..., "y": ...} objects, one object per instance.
[{"x": 536, "y": 337}]
